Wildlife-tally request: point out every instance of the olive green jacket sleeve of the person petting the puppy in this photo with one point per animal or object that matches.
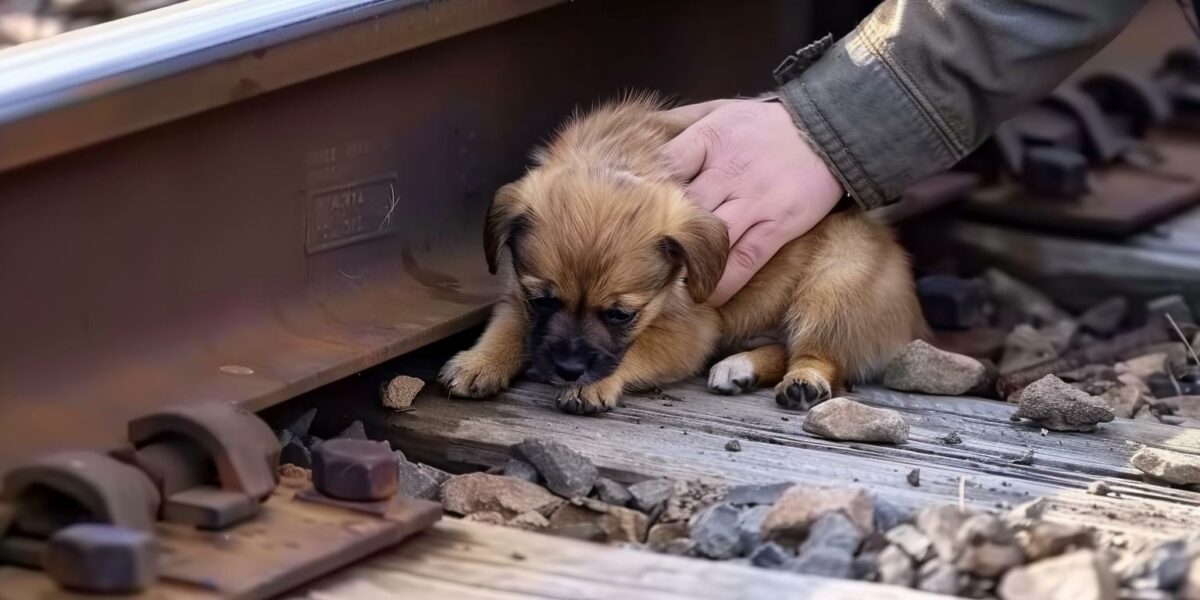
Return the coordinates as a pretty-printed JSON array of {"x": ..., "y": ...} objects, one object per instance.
[{"x": 921, "y": 83}]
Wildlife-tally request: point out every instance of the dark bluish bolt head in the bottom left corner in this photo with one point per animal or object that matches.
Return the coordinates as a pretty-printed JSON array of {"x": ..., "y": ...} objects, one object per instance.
[{"x": 103, "y": 559}]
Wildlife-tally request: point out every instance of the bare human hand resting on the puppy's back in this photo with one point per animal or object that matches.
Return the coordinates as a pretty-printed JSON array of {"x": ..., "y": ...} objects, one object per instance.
[{"x": 747, "y": 163}]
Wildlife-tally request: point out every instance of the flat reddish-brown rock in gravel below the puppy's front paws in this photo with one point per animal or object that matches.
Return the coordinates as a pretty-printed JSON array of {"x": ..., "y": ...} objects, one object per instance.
[{"x": 481, "y": 493}]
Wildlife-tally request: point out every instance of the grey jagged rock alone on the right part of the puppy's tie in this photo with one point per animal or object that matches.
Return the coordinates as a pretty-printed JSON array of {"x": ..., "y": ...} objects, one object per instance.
[{"x": 1058, "y": 406}]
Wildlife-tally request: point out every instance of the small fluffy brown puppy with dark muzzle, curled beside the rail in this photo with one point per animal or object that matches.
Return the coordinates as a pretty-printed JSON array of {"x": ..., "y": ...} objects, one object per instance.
[{"x": 609, "y": 267}]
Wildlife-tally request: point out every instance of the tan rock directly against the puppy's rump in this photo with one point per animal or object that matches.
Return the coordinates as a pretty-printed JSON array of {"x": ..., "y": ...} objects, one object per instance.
[{"x": 925, "y": 369}]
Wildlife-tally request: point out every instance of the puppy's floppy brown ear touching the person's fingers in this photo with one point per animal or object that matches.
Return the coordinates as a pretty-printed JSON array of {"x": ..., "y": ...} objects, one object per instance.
[{"x": 703, "y": 247}]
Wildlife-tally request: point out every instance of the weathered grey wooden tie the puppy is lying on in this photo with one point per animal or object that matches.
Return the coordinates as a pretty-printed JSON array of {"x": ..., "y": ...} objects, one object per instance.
[{"x": 685, "y": 439}]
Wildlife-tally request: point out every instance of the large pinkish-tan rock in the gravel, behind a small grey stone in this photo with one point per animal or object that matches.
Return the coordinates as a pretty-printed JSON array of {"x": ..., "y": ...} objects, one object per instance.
[{"x": 795, "y": 513}]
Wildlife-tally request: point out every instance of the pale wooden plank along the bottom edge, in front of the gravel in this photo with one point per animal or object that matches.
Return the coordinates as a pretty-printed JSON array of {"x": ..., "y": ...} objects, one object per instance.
[{"x": 466, "y": 561}]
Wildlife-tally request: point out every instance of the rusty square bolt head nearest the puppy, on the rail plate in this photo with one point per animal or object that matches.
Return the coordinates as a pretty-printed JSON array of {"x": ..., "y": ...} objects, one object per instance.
[{"x": 355, "y": 470}]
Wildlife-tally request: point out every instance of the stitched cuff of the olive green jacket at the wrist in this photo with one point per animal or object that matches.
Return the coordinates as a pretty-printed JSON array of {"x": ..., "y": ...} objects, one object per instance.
[{"x": 871, "y": 130}]
